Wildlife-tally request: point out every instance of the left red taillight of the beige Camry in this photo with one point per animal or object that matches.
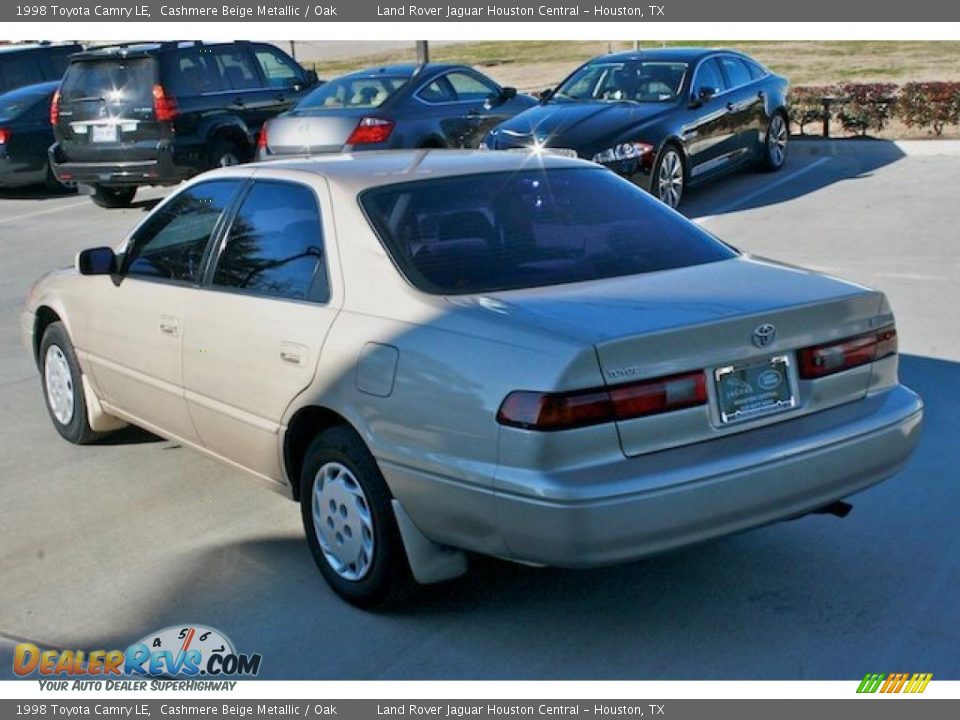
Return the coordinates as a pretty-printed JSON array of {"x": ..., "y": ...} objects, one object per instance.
[{"x": 563, "y": 411}]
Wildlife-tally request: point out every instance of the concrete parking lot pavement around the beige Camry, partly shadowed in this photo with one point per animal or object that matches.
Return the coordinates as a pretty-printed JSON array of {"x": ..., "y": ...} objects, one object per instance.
[{"x": 100, "y": 545}]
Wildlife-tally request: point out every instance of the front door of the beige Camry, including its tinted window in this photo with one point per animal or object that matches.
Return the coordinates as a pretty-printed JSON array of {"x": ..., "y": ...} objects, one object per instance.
[{"x": 136, "y": 324}]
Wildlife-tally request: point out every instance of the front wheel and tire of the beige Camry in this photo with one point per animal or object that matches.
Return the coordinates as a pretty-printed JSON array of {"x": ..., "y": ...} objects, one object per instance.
[{"x": 62, "y": 386}]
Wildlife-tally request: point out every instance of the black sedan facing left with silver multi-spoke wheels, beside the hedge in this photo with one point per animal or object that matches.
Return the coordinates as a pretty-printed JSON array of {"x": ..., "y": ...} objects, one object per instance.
[{"x": 666, "y": 119}]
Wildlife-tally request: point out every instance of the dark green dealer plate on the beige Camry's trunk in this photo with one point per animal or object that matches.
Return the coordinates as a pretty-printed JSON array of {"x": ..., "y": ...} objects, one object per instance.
[{"x": 751, "y": 390}]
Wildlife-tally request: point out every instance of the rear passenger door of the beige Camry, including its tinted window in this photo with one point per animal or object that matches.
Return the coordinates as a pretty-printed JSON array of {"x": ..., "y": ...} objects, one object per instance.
[{"x": 253, "y": 335}]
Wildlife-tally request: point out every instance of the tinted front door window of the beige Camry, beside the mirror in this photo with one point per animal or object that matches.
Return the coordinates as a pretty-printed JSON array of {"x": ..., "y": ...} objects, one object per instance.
[{"x": 170, "y": 245}]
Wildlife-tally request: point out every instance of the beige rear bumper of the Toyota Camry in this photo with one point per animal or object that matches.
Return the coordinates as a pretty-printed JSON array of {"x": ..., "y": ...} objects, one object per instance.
[{"x": 724, "y": 486}]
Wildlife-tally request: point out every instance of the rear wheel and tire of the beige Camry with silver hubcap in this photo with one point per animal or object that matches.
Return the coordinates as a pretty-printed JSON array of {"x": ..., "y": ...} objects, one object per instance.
[{"x": 349, "y": 521}]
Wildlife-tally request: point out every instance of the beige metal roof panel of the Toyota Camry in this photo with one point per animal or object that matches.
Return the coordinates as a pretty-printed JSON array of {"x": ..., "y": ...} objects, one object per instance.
[{"x": 359, "y": 171}]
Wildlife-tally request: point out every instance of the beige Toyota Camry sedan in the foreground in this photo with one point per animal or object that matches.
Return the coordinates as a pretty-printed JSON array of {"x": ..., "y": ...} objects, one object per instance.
[{"x": 529, "y": 359}]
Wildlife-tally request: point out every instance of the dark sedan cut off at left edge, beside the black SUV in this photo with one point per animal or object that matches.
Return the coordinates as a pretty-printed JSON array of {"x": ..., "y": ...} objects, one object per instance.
[{"x": 25, "y": 135}]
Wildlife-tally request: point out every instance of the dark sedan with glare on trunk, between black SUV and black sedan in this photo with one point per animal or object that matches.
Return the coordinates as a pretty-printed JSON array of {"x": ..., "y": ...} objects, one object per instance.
[{"x": 396, "y": 106}]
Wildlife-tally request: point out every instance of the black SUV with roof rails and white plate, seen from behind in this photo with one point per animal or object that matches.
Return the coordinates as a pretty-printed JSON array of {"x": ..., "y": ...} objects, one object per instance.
[{"x": 158, "y": 113}]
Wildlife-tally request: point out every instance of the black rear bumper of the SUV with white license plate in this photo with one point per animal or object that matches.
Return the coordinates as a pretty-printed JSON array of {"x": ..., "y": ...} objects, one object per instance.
[{"x": 161, "y": 170}]
